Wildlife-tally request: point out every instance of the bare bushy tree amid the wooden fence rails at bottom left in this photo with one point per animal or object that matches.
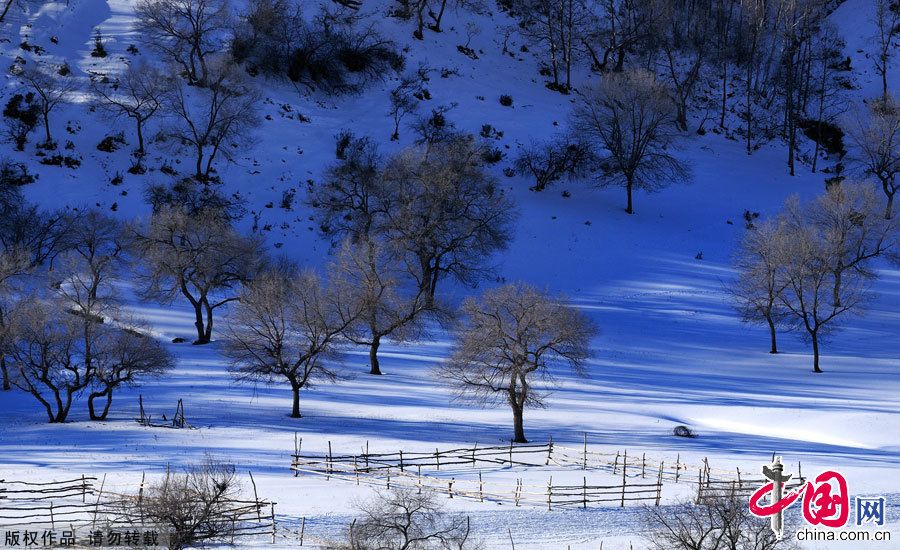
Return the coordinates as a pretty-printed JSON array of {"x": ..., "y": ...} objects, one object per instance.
[{"x": 192, "y": 507}]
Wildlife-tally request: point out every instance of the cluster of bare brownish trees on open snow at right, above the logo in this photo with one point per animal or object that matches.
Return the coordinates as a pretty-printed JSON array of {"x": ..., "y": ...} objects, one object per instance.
[{"x": 811, "y": 267}]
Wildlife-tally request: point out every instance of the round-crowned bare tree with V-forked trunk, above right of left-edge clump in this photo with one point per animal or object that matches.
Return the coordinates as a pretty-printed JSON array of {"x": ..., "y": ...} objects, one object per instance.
[{"x": 198, "y": 255}]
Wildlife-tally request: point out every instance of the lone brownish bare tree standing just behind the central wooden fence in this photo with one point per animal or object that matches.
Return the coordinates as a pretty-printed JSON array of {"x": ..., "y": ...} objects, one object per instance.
[{"x": 511, "y": 339}]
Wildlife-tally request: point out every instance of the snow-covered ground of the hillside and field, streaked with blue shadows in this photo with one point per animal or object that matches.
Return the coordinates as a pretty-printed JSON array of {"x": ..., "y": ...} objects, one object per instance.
[{"x": 671, "y": 349}]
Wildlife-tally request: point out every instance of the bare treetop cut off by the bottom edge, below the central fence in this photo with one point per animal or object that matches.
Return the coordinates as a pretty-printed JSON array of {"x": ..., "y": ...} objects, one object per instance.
[{"x": 404, "y": 519}]
